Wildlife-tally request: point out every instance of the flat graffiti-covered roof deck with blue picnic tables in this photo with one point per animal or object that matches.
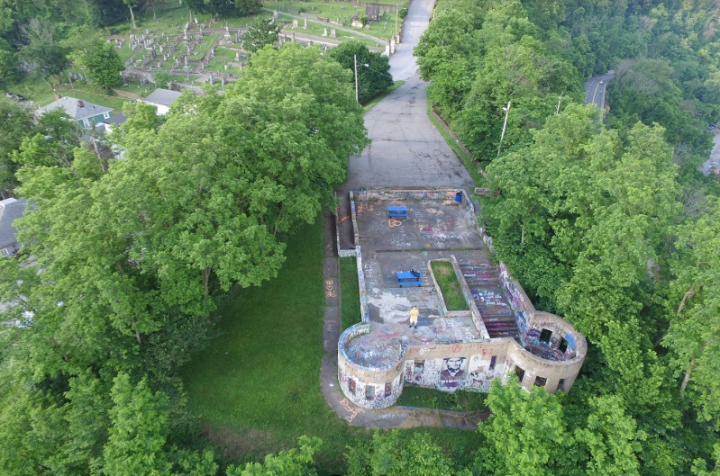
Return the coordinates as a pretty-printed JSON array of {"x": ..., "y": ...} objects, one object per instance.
[{"x": 433, "y": 229}]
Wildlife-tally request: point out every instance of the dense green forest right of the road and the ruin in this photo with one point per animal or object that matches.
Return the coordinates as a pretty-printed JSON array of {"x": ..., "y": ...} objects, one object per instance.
[{"x": 609, "y": 224}]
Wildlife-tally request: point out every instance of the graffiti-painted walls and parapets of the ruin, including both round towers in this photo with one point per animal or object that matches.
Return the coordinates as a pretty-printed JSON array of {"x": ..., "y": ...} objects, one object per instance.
[{"x": 470, "y": 365}]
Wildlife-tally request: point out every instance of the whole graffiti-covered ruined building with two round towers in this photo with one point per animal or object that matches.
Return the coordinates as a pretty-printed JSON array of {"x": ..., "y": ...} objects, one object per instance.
[{"x": 500, "y": 334}]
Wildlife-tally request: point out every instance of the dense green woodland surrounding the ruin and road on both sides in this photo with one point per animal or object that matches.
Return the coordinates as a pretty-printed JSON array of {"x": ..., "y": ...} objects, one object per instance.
[{"x": 605, "y": 220}]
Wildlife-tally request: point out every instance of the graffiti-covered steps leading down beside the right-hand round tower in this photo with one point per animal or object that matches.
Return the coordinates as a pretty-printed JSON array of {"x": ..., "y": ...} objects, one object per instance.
[{"x": 494, "y": 308}]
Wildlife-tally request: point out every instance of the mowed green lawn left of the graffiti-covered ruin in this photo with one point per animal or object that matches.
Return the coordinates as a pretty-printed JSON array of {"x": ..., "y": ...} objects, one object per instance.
[{"x": 257, "y": 387}]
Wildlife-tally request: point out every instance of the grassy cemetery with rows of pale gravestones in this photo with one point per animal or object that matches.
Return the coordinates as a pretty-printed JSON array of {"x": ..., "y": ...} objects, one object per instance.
[{"x": 202, "y": 48}]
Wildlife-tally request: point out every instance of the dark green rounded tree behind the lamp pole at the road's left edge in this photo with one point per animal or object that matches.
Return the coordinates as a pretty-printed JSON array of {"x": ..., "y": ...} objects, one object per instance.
[{"x": 373, "y": 69}]
